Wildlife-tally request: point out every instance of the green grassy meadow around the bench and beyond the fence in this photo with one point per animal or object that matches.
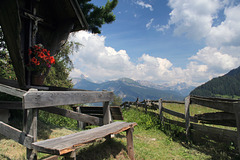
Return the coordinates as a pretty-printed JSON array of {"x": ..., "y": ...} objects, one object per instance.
[{"x": 151, "y": 139}]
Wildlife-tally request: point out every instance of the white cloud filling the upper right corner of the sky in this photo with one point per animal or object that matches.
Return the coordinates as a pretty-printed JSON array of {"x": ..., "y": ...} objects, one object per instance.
[{"x": 197, "y": 20}]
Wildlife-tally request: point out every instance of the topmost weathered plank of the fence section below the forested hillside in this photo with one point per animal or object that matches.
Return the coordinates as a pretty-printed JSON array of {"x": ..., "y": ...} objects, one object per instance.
[{"x": 215, "y": 103}]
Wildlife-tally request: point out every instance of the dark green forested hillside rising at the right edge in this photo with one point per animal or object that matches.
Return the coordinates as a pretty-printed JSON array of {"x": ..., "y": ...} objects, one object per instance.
[{"x": 229, "y": 85}]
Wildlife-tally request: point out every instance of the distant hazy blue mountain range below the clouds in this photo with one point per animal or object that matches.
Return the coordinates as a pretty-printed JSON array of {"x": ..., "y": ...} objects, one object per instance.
[{"x": 130, "y": 90}]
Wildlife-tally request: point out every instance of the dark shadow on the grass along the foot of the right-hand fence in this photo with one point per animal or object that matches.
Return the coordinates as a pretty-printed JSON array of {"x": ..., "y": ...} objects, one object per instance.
[{"x": 216, "y": 149}]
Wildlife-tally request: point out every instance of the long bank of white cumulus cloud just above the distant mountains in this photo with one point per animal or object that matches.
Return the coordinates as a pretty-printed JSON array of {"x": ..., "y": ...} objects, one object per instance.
[{"x": 101, "y": 63}]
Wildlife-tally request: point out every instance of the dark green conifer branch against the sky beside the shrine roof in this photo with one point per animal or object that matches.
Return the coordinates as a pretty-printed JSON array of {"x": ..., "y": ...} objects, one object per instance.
[{"x": 97, "y": 16}]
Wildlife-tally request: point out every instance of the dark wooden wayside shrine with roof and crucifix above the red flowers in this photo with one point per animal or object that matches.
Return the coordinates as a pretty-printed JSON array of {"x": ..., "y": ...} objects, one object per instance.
[{"x": 29, "y": 22}]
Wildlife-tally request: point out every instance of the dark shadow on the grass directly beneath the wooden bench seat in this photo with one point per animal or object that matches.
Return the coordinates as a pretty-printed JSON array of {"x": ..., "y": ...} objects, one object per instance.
[{"x": 108, "y": 149}]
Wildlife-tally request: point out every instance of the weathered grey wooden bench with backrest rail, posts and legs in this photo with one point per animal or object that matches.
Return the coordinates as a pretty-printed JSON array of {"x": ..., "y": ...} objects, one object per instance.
[{"x": 34, "y": 100}]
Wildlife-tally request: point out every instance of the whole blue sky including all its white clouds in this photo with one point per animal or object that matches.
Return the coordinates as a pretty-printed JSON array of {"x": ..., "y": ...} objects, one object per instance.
[{"x": 162, "y": 41}]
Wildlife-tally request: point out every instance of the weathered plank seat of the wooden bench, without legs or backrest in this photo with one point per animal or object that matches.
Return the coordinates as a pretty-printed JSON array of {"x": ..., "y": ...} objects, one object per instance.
[{"x": 68, "y": 143}]
